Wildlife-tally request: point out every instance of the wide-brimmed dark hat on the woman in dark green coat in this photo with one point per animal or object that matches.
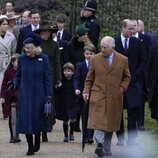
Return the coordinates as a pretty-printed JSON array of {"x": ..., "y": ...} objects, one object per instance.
[{"x": 47, "y": 25}]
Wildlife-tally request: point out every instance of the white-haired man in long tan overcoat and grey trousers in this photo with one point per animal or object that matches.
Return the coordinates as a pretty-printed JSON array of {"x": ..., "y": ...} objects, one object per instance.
[{"x": 106, "y": 81}]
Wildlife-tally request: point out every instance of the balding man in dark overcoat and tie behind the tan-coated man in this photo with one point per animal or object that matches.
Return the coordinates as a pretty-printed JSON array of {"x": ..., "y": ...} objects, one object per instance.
[{"x": 132, "y": 48}]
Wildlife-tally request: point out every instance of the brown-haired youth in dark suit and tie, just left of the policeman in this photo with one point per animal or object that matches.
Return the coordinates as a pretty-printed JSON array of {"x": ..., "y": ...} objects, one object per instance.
[{"x": 62, "y": 36}]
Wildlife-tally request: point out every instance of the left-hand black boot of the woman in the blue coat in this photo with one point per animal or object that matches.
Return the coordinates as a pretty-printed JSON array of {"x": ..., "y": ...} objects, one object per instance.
[{"x": 29, "y": 139}]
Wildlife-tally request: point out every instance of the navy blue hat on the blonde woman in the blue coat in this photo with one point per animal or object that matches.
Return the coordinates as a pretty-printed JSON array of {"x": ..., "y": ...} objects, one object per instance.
[{"x": 32, "y": 38}]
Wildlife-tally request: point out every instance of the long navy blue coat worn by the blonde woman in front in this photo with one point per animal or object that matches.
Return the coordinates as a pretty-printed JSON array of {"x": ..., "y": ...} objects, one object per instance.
[{"x": 33, "y": 80}]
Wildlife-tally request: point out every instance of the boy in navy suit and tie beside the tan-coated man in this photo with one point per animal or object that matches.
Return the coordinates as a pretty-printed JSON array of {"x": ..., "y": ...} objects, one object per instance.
[{"x": 79, "y": 79}]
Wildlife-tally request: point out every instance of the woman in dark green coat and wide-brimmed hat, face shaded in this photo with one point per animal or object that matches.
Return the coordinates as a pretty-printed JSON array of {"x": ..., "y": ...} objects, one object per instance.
[{"x": 50, "y": 48}]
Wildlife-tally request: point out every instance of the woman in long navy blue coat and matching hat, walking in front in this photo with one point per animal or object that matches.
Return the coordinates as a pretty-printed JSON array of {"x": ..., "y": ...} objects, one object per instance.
[{"x": 33, "y": 80}]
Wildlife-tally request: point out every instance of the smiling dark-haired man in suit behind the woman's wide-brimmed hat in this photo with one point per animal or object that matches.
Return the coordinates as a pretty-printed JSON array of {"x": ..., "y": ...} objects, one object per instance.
[{"x": 35, "y": 20}]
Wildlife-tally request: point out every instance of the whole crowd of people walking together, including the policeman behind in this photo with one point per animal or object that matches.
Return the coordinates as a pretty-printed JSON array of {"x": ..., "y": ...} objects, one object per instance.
[{"x": 41, "y": 62}]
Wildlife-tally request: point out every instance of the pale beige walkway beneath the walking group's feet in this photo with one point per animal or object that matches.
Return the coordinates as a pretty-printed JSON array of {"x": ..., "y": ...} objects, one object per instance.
[{"x": 56, "y": 148}]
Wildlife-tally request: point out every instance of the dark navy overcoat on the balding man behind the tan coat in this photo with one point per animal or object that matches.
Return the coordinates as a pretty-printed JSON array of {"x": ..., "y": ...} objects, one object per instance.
[{"x": 137, "y": 66}]
